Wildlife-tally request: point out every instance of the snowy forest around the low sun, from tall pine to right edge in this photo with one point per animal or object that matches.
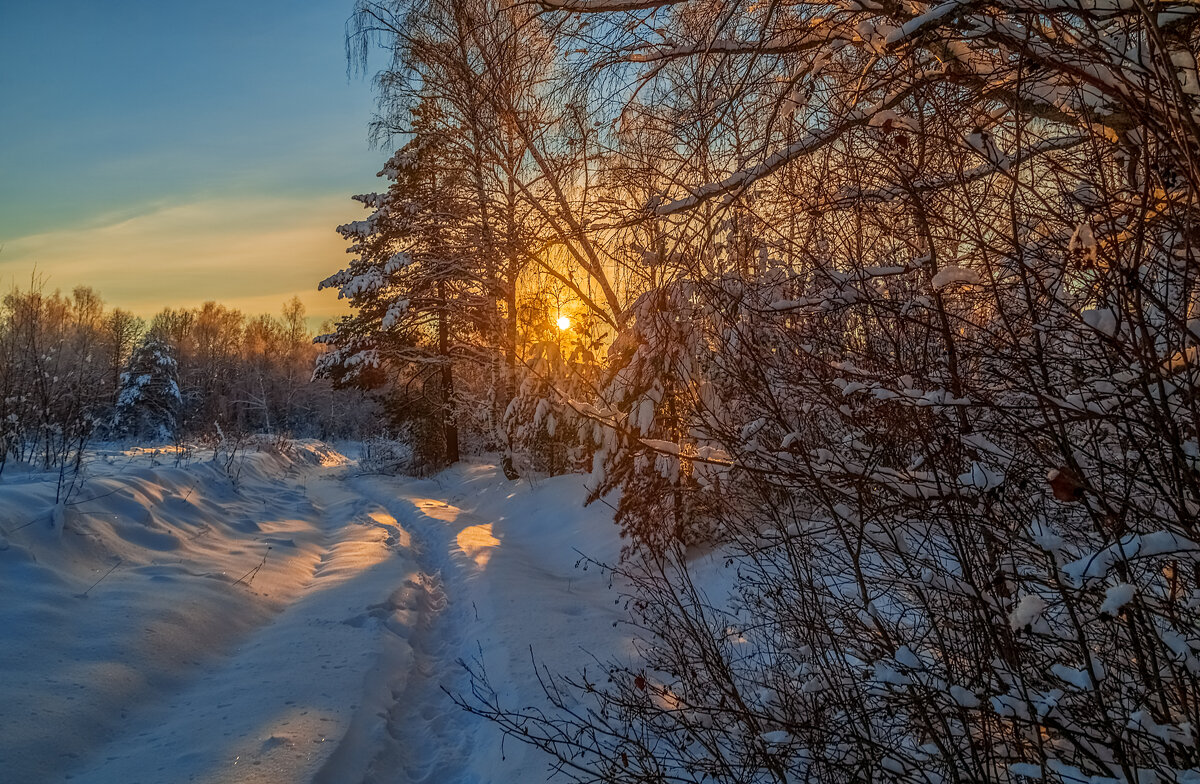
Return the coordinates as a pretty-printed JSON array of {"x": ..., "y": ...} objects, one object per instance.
[{"x": 891, "y": 306}]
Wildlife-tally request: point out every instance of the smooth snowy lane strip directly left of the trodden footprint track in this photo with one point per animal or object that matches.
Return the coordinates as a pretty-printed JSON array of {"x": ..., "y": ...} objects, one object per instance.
[{"x": 278, "y": 705}]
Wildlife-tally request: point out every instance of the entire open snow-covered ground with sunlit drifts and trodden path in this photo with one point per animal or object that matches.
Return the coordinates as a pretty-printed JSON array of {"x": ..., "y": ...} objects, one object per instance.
[{"x": 286, "y": 619}]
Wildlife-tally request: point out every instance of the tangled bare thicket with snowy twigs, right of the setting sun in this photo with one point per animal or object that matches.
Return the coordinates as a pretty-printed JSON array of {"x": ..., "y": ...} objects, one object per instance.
[{"x": 921, "y": 370}]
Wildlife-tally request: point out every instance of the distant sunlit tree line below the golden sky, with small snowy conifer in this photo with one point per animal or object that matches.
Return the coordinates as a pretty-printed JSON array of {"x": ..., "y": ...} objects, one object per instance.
[{"x": 74, "y": 370}]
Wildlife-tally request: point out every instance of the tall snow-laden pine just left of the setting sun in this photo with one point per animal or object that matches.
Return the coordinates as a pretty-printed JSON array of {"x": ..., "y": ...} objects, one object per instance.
[{"x": 418, "y": 290}]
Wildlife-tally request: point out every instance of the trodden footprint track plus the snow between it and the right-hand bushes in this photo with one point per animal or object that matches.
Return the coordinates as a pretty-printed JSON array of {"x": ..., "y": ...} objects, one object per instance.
[{"x": 506, "y": 558}]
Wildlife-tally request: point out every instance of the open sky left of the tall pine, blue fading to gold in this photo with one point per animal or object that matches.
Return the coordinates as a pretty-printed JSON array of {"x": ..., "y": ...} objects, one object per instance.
[{"x": 171, "y": 152}]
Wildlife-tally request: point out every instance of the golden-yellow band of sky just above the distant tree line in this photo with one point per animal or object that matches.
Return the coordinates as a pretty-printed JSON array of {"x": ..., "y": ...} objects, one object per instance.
[{"x": 249, "y": 254}]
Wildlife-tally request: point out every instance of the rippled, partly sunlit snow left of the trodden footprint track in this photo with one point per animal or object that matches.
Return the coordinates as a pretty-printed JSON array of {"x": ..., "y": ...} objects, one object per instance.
[{"x": 178, "y": 623}]
